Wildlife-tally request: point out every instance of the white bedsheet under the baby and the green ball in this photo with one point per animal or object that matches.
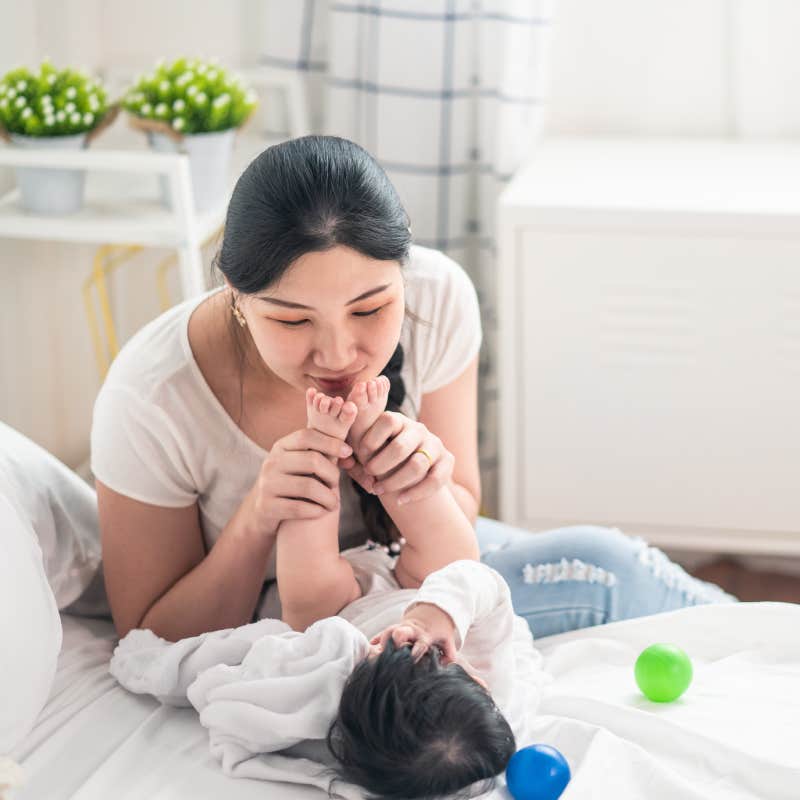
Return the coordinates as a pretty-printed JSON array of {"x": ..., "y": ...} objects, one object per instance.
[{"x": 732, "y": 736}]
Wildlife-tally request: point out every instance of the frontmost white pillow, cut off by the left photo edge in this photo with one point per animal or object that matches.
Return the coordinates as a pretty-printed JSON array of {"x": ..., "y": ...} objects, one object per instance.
[{"x": 30, "y": 628}]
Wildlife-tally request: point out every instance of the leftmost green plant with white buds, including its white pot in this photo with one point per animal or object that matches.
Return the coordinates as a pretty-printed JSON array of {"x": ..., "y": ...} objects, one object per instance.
[{"x": 52, "y": 108}]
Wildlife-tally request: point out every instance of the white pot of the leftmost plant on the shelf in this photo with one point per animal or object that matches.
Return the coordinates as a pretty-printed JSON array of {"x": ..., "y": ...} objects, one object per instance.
[{"x": 47, "y": 190}]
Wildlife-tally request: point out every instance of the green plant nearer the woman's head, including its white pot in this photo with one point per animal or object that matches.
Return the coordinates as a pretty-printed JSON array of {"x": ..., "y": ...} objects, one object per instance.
[{"x": 193, "y": 107}]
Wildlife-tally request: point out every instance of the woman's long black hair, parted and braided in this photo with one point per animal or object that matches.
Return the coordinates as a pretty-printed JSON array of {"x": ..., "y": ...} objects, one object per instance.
[{"x": 308, "y": 195}]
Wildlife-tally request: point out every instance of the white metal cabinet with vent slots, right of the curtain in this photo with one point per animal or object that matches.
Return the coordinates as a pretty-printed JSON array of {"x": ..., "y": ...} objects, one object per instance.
[{"x": 649, "y": 310}]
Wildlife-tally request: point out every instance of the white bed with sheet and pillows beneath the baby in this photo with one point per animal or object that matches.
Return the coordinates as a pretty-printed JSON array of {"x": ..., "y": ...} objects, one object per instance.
[{"x": 81, "y": 736}]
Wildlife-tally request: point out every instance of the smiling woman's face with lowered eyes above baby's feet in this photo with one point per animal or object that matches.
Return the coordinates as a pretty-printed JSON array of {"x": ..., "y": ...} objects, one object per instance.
[{"x": 348, "y": 328}]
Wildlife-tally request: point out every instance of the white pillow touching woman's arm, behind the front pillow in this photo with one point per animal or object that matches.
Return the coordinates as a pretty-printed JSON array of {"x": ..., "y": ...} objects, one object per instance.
[{"x": 60, "y": 507}]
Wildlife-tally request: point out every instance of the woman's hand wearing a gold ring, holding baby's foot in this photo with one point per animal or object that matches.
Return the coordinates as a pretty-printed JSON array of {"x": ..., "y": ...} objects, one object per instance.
[{"x": 398, "y": 466}]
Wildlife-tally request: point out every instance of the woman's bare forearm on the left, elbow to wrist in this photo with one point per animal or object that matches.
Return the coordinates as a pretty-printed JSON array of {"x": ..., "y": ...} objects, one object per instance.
[{"x": 221, "y": 591}]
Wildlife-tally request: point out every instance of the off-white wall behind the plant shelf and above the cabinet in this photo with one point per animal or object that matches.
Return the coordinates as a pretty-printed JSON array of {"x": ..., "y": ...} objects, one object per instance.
[{"x": 687, "y": 67}]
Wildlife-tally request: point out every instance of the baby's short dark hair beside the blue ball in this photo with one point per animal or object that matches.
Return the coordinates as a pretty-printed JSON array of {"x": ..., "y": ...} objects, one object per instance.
[{"x": 417, "y": 730}]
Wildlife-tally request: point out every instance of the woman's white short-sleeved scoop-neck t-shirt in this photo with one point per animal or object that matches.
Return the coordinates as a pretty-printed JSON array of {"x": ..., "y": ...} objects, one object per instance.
[{"x": 161, "y": 436}]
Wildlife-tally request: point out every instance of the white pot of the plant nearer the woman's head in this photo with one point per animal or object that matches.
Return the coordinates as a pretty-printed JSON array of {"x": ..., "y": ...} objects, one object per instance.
[{"x": 209, "y": 164}]
